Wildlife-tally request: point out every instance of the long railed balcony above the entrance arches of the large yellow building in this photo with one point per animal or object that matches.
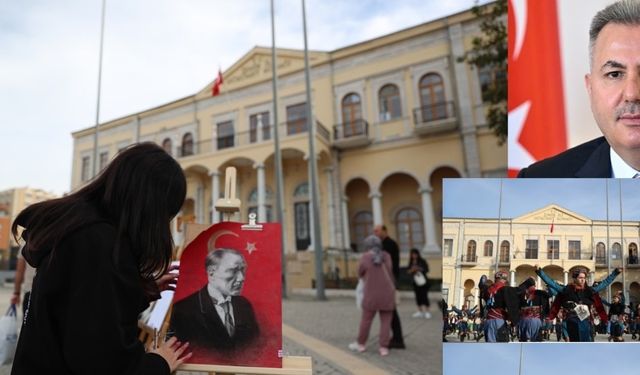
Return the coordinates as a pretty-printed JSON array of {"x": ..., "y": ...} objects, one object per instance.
[{"x": 257, "y": 137}]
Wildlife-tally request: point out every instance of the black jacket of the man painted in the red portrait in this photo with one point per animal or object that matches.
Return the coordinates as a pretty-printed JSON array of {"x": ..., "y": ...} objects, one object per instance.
[{"x": 194, "y": 319}]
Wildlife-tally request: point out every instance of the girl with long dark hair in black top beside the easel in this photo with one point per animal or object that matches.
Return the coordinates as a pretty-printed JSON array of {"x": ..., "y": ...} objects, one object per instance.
[{"x": 101, "y": 254}]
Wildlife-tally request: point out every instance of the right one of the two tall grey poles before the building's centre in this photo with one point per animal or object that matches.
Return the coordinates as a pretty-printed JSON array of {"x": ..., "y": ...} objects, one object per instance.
[{"x": 313, "y": 173}]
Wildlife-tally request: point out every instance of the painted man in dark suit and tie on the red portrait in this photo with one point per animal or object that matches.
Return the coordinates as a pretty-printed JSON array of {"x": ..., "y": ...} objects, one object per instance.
[{"x": 217, "y": 317}]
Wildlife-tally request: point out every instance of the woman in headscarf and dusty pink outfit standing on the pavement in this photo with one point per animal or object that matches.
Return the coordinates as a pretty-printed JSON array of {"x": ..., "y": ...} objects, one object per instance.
[{"x": 379, "y": 291}]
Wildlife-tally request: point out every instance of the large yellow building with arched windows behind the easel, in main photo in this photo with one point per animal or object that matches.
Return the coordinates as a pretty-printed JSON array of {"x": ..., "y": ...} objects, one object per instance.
[{"x": 394, "y": 115}]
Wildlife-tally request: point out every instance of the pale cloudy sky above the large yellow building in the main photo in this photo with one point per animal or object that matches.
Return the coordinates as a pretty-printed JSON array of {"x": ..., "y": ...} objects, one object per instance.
[{"x": 154, "y": 52}]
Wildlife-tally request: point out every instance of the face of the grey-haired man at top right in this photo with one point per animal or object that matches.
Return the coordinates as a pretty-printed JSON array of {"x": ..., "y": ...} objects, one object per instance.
[{"x": 614, "y": 87}]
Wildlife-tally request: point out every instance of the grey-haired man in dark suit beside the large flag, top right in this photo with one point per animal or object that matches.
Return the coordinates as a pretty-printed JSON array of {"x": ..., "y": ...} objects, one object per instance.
[{"x": 614, "y": 92}]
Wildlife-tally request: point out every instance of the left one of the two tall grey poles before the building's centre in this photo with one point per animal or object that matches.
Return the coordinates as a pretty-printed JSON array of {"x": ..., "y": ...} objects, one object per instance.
[{"x": 278, "y": 156}]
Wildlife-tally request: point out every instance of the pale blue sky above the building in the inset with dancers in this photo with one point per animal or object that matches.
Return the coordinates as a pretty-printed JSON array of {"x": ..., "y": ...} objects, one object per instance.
[{"x": 480, "y": 197}]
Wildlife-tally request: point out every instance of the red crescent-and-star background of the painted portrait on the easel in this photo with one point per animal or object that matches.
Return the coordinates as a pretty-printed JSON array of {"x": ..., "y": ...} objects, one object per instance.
[{"x": 262, "y": 289}]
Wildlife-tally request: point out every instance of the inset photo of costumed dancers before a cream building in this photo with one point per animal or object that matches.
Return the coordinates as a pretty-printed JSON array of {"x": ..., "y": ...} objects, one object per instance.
[{"x": 541, "y": 260}]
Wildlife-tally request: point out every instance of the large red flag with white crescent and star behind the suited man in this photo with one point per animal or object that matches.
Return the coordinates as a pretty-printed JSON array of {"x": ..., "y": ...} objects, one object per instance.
[{"x": 537, "y": 127}]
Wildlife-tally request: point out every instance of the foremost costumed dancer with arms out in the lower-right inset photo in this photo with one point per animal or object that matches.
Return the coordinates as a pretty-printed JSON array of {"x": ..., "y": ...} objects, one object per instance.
[{"x": 576, "y": 301}]
